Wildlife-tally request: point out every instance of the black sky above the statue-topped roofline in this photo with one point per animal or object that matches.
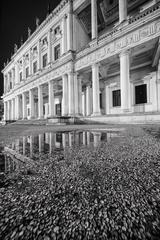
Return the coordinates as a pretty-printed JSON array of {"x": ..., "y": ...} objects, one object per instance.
[{"x": 15, "y": 18}]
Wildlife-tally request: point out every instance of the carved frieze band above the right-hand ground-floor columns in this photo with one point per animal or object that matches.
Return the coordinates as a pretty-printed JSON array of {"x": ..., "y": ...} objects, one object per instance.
[{"x": 144, "y": 34}]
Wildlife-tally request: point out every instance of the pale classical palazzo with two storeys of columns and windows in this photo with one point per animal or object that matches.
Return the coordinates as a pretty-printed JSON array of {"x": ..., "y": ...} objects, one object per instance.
[{"x": 94, "y": 59}]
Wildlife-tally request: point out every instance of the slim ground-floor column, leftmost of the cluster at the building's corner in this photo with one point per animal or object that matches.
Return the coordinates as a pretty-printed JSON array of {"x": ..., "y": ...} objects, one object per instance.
[{"x": 65, "y": 95}]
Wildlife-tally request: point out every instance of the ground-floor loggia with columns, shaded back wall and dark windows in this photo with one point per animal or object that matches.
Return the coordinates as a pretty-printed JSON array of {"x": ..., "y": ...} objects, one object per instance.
[{"x": 125, "y": 83}]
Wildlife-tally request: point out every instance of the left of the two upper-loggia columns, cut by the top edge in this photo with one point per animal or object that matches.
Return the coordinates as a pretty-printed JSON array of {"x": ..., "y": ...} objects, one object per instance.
[{"x": 94, "y": 18}]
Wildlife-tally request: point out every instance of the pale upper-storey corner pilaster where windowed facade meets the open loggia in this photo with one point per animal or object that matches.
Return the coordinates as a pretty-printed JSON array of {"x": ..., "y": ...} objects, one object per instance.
[{"x": 70, "y": 28}]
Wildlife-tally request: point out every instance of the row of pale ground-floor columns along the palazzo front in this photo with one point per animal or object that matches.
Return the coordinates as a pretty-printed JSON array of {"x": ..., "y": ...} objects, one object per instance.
[{"x": 75, "y": 101}]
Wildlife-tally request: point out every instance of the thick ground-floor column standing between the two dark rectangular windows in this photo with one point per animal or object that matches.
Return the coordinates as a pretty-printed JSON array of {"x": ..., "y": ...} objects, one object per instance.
[{"x": 125, "y": 81}]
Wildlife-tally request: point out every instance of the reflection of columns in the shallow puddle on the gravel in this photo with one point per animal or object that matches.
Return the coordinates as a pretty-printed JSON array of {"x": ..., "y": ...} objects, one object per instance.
[{"x": 33, "y": 146}]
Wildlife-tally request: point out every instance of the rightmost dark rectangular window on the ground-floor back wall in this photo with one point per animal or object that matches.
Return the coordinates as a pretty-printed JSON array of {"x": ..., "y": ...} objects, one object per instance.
[{"x": 141, "y": 94}]
